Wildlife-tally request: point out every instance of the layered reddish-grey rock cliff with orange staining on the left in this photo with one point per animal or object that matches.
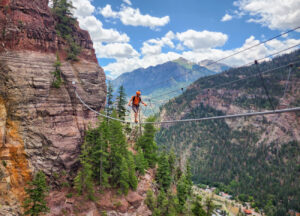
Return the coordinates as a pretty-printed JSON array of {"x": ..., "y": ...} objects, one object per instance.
[{"x": 41, "y": 127}]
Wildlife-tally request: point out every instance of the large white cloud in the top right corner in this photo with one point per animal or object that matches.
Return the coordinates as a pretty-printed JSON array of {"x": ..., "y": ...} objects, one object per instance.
[{"x": 275, "y": 14}]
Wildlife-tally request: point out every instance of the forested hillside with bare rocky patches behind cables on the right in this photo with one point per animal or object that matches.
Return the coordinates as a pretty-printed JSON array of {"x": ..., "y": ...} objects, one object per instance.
[{"x": 255, "y": 158}]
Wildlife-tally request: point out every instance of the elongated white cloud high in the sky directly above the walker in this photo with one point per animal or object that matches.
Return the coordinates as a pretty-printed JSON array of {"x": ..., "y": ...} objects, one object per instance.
[{"x": 133, "y": 17}]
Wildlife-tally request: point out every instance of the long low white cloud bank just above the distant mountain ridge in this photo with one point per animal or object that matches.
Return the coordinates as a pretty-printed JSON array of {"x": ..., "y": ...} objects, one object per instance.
[{"x": 130, "y": 64}]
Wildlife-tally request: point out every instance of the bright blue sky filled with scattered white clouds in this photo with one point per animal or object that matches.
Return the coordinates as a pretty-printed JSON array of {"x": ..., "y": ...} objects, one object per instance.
[{"x": 129, "y": 34}]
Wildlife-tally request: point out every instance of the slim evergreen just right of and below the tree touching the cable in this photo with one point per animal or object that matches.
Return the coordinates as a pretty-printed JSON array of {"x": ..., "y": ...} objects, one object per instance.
[{"x": 163, "y": 175}]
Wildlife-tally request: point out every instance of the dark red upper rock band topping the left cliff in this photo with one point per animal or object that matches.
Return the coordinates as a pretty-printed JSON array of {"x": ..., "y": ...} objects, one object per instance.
[{"x": 29, "y": 25}]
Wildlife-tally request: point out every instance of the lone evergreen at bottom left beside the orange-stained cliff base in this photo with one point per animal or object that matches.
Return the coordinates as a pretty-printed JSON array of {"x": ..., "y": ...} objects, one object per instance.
[{"x": 35, "y": 203}]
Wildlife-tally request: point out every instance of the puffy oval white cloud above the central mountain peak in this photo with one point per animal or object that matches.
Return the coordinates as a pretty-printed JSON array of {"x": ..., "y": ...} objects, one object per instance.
[{"x": 202, "y": 40}]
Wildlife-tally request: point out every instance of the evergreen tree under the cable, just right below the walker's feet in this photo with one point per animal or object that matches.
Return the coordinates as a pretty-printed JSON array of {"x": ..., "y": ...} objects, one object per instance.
[{"x": 147, "y": 144}]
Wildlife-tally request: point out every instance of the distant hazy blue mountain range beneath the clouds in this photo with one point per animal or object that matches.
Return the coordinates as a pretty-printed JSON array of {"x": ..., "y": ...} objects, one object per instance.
[{"x": 163, "y": 76}]
